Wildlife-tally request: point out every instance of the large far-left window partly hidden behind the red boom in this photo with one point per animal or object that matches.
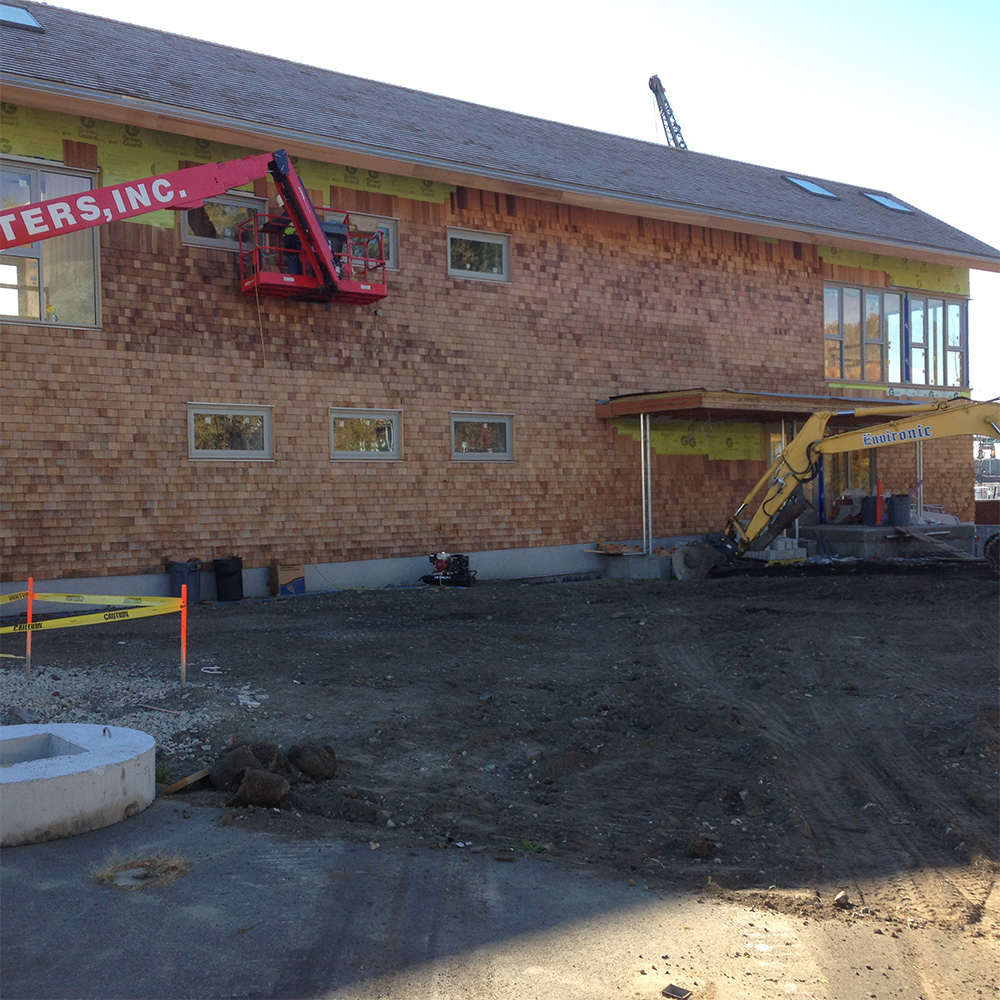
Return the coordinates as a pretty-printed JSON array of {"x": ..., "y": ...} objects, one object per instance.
[{"x": 52, "y": 280}]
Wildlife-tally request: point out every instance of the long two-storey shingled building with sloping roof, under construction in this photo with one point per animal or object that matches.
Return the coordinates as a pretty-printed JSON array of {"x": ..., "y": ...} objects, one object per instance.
[{"x": 536, "y": 271}]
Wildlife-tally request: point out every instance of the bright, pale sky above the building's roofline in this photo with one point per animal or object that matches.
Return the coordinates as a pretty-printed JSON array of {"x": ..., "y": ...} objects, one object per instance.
[{"x": 882, "y": 93}]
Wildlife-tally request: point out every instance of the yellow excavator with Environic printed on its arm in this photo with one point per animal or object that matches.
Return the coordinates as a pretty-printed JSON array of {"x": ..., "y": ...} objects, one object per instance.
[{"x": 783, "y": 500}]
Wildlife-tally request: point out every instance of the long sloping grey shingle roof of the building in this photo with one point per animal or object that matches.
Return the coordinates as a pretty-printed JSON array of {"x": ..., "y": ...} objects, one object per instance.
[{"x": 283, "y": 98}]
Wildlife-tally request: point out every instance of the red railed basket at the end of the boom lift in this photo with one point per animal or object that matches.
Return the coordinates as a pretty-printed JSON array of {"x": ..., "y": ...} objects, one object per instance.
[{"x": 274, "y": 263}]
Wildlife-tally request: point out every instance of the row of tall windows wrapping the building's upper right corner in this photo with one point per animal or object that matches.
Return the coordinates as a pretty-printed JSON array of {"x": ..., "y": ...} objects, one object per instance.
[{"x": 872, "y": 335}]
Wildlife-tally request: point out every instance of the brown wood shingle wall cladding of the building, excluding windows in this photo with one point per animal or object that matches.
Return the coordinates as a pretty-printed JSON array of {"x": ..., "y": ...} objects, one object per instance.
[{"x": 98, "y": 479}]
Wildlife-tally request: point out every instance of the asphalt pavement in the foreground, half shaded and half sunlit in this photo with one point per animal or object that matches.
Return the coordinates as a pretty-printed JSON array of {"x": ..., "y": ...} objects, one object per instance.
[{"x": 259, "y": 916}]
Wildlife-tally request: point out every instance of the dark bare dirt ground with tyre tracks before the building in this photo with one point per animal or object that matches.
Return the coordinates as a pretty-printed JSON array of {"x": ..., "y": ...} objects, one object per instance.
[{"x": 775, "y": 738}]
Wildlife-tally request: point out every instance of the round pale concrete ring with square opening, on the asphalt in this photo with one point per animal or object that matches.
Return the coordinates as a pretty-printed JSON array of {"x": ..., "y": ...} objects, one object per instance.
[{"x": 67, "y": 778}]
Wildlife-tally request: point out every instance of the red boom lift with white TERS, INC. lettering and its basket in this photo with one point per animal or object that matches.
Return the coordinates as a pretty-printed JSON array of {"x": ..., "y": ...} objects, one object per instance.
[{"x": 295, "y": 255}]
